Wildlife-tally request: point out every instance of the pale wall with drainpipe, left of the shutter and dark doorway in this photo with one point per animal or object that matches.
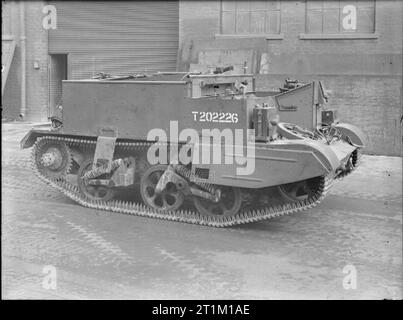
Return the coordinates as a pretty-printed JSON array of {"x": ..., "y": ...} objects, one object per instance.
[{"x": 36, "y": 47}]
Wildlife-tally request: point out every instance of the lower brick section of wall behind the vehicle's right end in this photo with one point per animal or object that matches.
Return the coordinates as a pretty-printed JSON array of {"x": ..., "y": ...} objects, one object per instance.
[{"x": 371, "y": 103}]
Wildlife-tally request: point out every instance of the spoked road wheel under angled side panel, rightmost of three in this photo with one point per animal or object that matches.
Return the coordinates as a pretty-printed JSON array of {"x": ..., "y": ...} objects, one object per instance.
[{"x": 229, "y": 204}]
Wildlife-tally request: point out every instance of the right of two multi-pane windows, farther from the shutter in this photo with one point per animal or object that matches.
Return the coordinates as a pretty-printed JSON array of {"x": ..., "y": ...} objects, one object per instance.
[{"x": 340, "y": 16}]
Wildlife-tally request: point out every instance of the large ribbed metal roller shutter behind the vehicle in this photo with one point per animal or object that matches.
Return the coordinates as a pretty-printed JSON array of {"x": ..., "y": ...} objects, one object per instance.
[{"x": 116, "y": 37}]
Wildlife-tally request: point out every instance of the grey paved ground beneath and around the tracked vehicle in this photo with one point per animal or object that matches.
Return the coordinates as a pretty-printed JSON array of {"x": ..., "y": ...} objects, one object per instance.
[{"x": 99, "y": 254}]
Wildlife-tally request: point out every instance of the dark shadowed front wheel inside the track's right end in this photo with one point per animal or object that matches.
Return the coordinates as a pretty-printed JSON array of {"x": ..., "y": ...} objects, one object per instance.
[{"x": 299, "y": 191}]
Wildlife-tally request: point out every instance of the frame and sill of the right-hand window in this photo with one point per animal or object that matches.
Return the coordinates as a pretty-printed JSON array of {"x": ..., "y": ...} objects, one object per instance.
[{"x": 338, "y": 35}]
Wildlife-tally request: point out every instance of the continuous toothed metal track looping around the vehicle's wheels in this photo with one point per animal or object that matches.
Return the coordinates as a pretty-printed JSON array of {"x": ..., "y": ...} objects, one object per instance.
[{"x": 186, "y": 216}]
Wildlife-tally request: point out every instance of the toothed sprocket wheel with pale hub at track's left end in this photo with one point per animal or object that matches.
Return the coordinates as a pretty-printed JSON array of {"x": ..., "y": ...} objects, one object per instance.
[{"x": 52, "y": 158}]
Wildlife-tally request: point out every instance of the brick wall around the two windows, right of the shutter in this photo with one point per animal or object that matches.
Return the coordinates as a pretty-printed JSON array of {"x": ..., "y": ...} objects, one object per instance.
[{"x": 363, "y": 75}]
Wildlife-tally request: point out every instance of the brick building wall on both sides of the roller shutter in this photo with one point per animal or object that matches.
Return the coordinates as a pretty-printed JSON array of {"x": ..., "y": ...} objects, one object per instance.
[{"x": 364, "y": 75}]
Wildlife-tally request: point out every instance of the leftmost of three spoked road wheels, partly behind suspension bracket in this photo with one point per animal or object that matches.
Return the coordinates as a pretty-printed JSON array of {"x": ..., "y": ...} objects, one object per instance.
[{"x": 94, "y": 192}]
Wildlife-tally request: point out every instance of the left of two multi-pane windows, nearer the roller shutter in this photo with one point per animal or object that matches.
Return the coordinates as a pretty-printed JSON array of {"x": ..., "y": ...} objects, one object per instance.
[{"x": 250, "y": 17}]
